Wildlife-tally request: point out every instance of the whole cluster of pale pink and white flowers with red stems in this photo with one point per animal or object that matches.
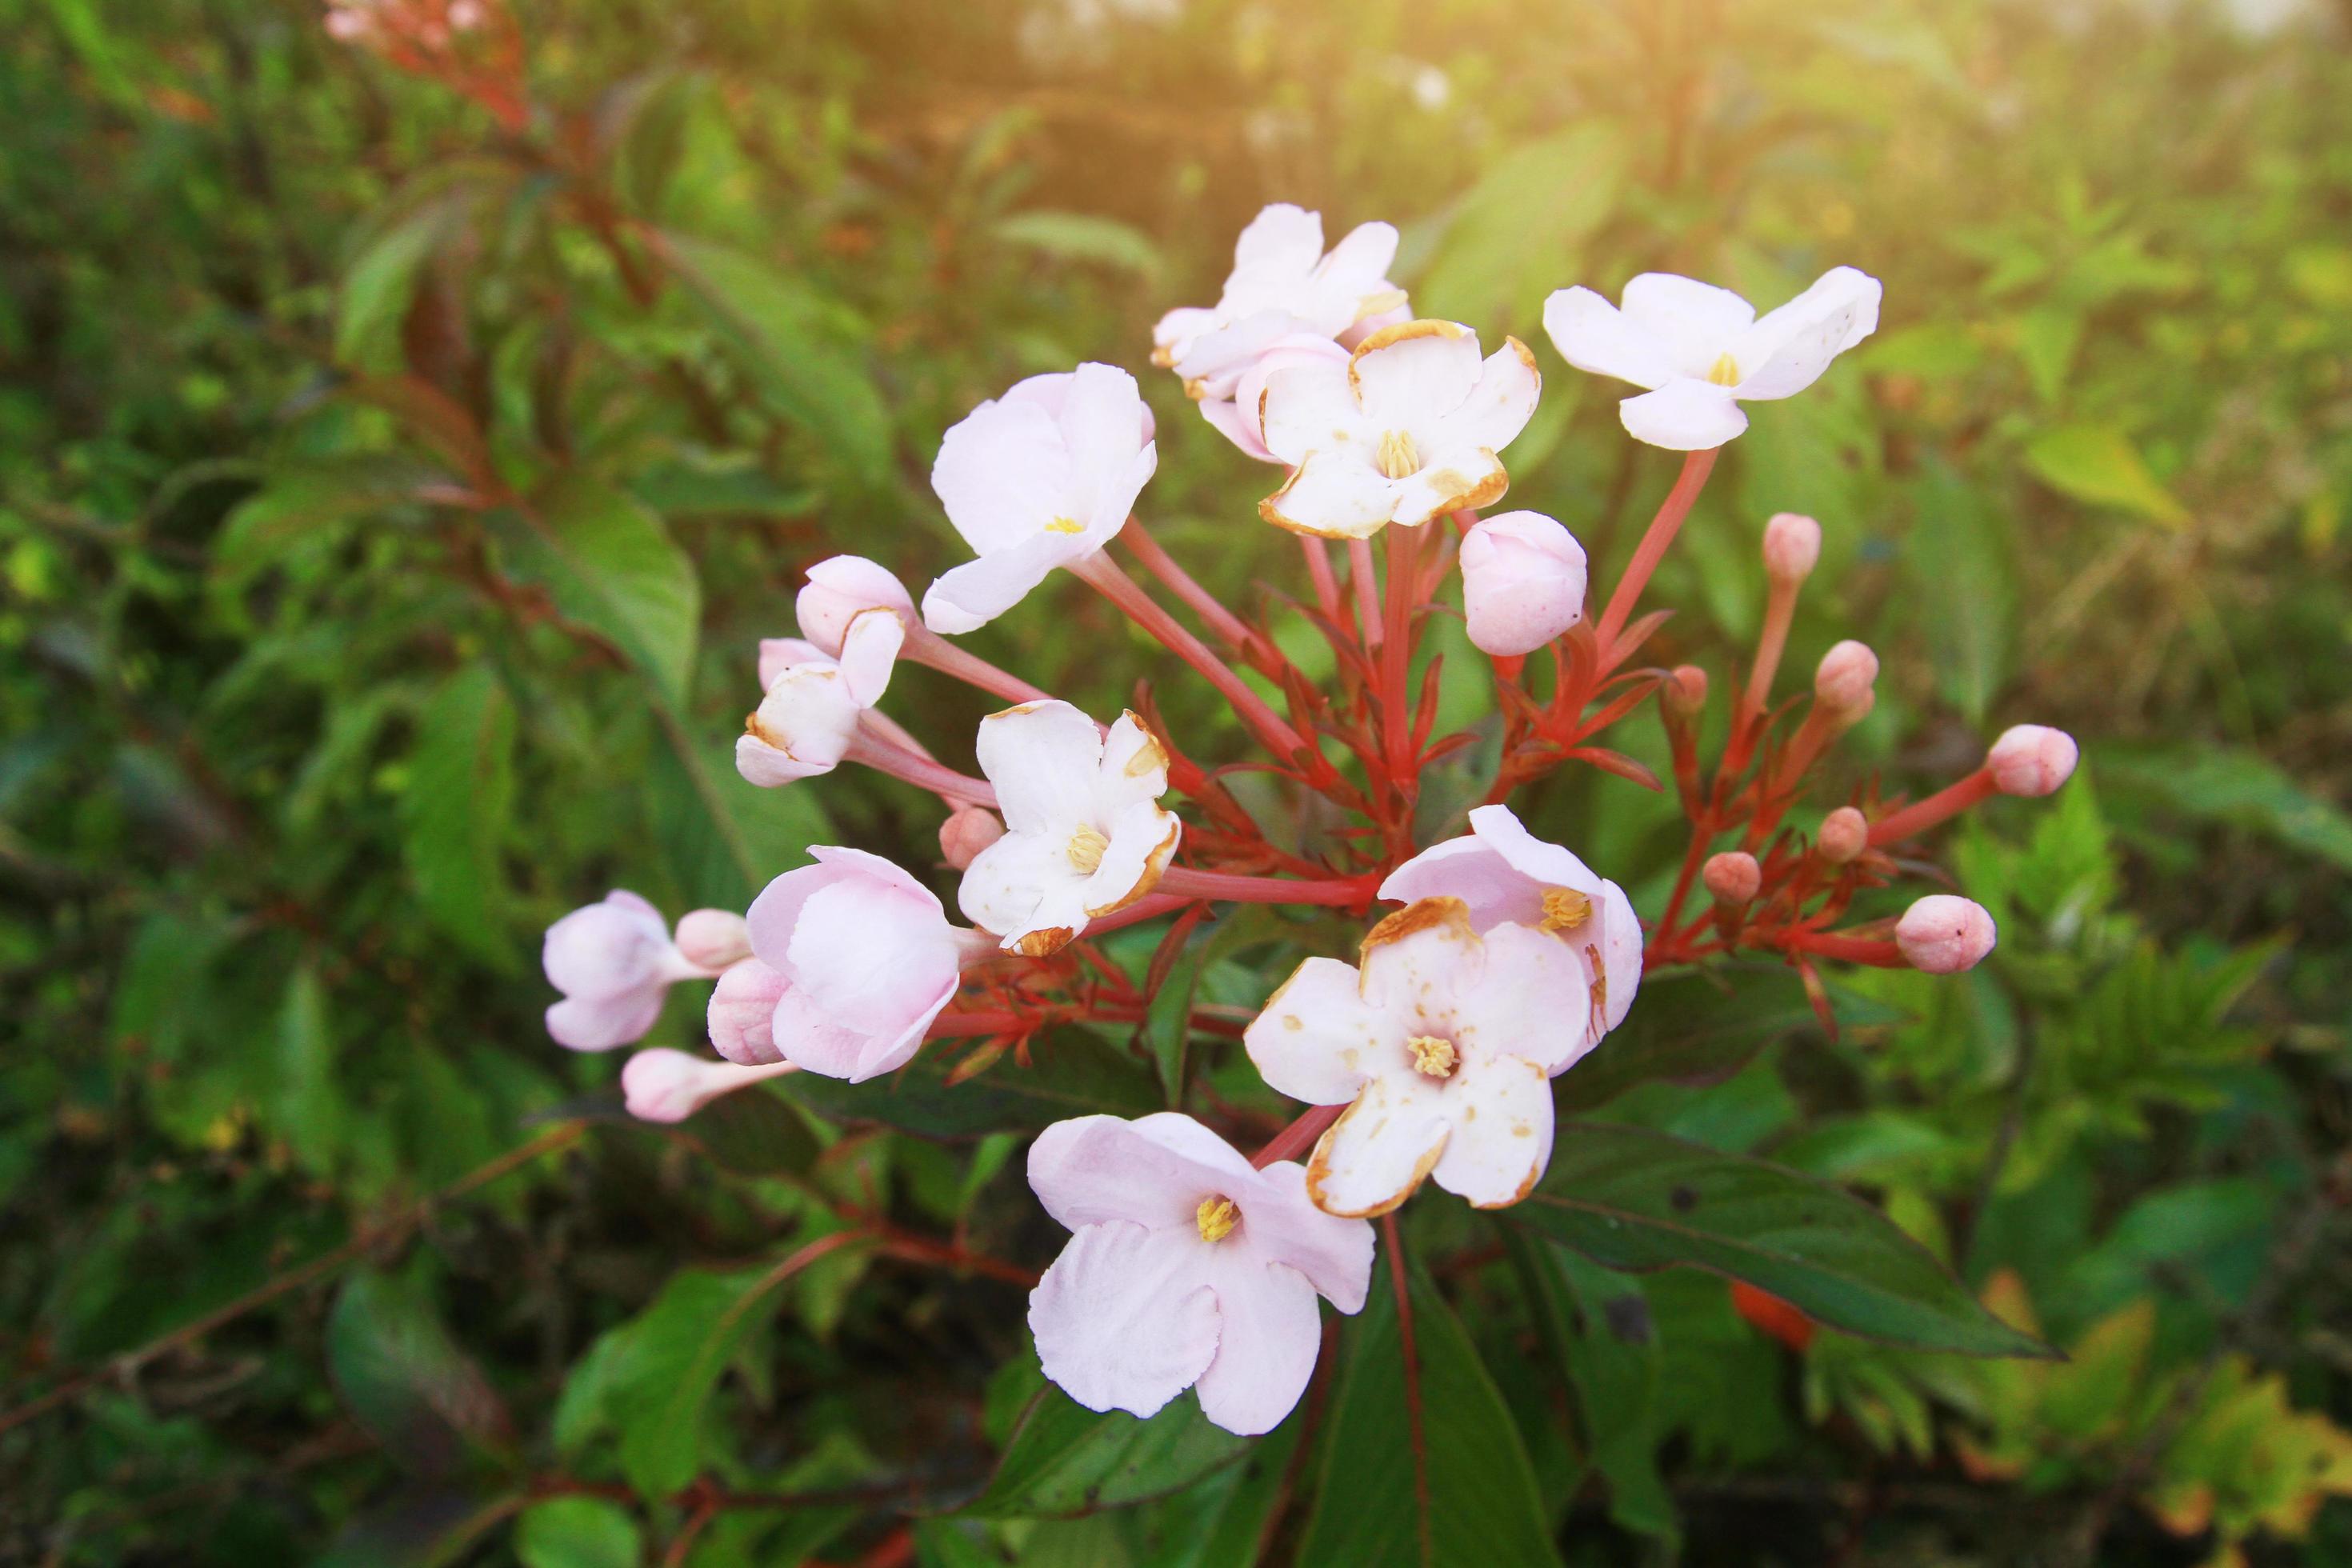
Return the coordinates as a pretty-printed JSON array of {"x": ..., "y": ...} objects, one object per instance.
[{"x": 1492, "y": 960}]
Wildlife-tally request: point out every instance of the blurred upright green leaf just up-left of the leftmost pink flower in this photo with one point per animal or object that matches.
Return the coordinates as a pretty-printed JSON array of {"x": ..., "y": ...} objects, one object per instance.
[{"x": 457, "y": 805}]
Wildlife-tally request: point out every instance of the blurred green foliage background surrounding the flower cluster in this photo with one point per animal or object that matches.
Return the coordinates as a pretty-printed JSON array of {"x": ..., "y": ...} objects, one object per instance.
[{"x": 403, "y": 453}]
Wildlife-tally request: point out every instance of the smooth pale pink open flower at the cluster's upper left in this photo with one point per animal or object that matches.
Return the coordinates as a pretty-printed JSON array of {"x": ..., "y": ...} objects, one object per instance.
[{"x": 1036, "y": 481}]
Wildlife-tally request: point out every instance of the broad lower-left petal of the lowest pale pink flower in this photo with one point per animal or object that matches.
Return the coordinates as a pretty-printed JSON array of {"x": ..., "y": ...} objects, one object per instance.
[{"x": 1125, "y": 1320}]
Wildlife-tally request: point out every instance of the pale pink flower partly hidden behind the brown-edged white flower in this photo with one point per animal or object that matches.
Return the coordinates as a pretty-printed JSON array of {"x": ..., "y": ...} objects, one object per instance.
[{"x": 1506, "y": 873}]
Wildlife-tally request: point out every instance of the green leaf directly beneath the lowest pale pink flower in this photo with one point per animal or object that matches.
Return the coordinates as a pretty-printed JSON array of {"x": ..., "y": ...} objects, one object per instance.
[{"x": 1064, "y": 1459}]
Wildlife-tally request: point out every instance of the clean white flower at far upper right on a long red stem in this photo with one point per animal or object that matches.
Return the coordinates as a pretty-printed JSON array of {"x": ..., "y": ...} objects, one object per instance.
[{"x": 1704, "y": 351}]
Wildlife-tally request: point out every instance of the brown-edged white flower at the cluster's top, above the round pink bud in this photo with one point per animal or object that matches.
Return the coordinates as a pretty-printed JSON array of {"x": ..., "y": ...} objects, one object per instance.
[{"x": 1401, "y": 434}]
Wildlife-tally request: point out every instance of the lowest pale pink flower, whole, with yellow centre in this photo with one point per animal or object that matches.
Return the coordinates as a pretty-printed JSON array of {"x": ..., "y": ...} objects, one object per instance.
[{"x": 1187, "y": 1268}]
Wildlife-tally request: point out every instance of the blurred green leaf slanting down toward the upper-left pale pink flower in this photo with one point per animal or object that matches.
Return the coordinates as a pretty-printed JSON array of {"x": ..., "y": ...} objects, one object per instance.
[{"x": 801, "y": 347}]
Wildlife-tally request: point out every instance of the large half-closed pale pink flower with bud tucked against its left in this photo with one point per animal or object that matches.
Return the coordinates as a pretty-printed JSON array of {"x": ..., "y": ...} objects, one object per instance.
[{"x": 867, "y": 960}]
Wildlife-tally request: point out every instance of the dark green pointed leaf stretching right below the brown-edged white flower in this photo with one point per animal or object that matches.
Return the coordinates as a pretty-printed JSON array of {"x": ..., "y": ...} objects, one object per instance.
[{"x": 1638, "y": 1200}]
